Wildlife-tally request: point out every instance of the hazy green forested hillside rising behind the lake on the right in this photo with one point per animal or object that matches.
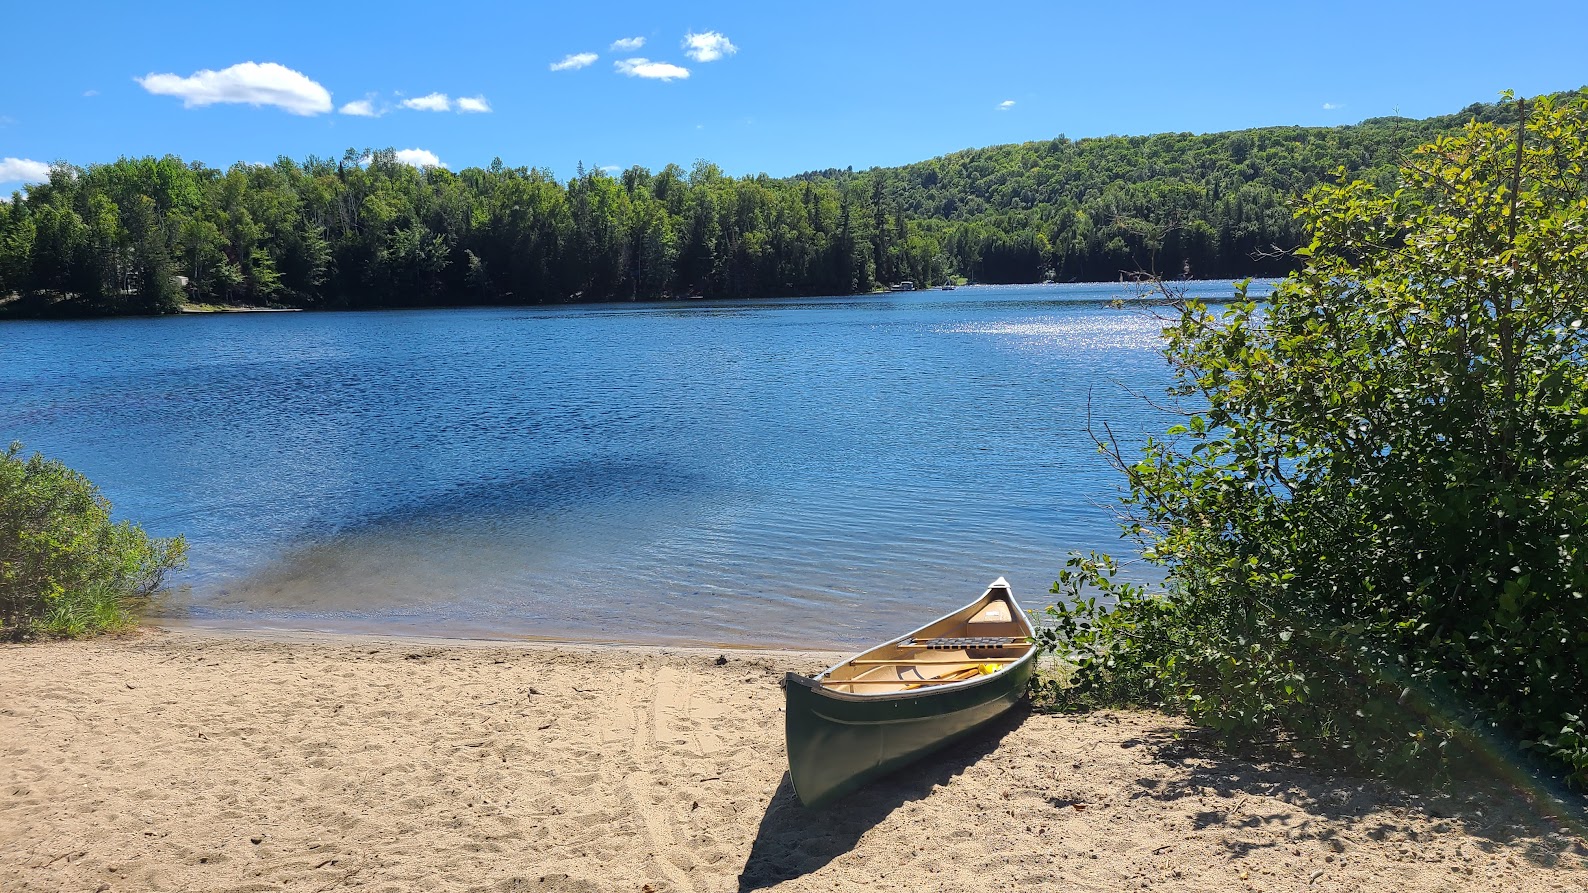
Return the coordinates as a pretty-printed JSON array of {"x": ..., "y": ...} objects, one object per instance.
[{"x": 1198, "y": 206}]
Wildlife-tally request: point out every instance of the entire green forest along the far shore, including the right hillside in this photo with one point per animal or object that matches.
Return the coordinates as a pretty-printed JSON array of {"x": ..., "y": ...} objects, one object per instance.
[{"x": 148, "y": 236}]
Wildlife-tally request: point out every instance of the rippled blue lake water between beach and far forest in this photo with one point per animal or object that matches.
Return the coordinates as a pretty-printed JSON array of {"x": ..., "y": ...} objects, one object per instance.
[{"x": 774, "y": 473}]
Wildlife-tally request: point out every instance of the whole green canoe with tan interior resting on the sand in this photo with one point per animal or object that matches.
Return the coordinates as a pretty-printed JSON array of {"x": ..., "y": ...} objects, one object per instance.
[{"x": 900, "y": 702}]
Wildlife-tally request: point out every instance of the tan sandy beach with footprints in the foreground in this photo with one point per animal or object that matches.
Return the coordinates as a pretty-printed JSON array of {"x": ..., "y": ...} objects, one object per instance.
[{"x": 229, "y": 762}]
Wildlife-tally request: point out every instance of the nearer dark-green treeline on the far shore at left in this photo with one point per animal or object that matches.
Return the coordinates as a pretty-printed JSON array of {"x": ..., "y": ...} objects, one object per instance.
[{"x": 144, "y": 236}]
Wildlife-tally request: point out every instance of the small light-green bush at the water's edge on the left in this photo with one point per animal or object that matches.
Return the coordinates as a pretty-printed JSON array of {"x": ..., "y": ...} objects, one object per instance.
[{"x": 66, "y": 568}]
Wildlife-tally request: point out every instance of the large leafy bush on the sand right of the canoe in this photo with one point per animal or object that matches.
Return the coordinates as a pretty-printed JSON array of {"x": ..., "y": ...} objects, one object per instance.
[{"x": 1373, "y": 525}]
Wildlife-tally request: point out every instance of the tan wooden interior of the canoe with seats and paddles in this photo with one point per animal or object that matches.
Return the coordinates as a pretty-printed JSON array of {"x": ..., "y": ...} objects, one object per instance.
[{"x": 981, "y": 640}]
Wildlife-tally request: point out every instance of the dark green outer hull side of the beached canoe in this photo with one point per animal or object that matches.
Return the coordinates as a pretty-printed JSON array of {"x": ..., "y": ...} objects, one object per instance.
[{"x": 838, "y": 743}]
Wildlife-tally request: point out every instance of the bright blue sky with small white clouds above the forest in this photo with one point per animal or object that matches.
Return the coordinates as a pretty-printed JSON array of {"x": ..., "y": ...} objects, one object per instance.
[{"x": 776, "y": 88}]
